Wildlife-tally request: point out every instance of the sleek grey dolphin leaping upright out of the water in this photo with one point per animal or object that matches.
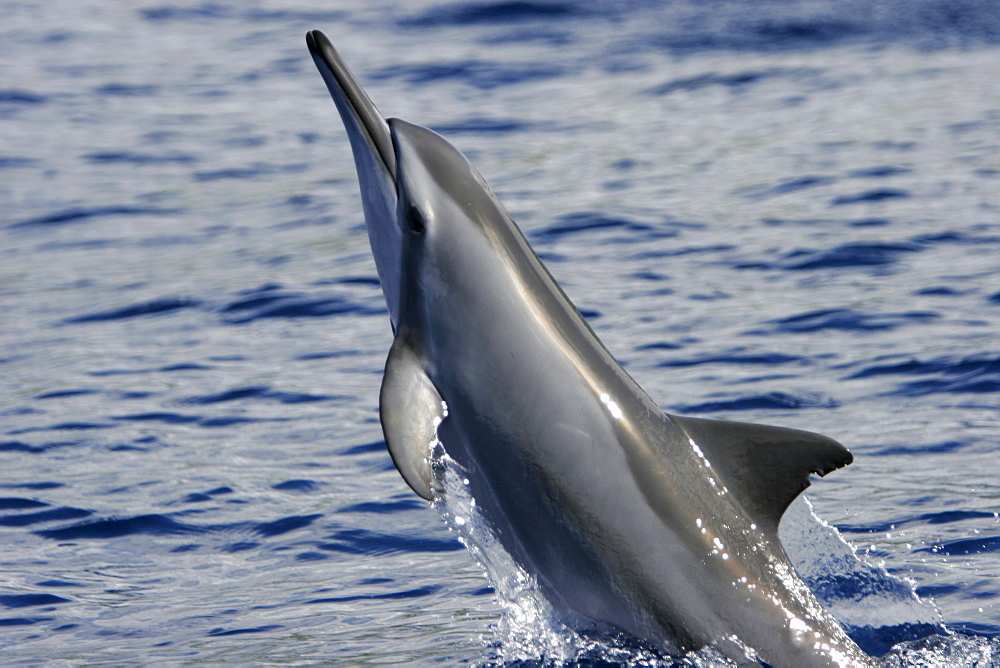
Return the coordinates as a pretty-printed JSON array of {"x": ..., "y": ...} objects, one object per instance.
[{"x": 661, "y": 526}]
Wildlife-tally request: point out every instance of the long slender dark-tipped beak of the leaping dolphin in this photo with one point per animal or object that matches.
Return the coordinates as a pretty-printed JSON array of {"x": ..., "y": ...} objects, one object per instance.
[{"x": 363, "y": 121}]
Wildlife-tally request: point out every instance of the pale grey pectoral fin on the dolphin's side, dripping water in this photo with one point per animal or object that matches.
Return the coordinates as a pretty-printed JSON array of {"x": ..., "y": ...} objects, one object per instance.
[{"x": 410, "y": 410}]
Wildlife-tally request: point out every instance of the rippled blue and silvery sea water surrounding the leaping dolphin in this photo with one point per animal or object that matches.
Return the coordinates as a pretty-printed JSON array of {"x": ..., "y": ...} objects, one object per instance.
[{"x": 778, "y": 212}]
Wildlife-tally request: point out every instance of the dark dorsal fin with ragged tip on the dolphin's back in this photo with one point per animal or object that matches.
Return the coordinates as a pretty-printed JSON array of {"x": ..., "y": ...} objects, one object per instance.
[{"x": 765, "y": 466}]
